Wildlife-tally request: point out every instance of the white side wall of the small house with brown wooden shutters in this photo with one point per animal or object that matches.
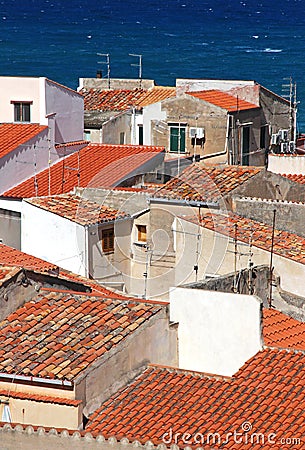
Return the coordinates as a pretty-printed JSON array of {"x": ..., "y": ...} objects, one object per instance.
[{"x": 53, "y": 238}]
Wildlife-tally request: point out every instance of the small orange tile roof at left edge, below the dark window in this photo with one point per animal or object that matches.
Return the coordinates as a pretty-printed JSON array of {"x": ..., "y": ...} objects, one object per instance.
[{"x": 12, "y": 135}]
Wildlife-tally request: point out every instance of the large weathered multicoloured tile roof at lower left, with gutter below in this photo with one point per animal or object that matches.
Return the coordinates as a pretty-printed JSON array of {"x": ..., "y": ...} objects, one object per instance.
[{"x": 58, "y": 335}]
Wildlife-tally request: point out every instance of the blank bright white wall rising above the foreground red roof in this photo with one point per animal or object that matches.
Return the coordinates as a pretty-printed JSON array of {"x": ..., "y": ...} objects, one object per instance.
[{"x": 217, "y": 332}]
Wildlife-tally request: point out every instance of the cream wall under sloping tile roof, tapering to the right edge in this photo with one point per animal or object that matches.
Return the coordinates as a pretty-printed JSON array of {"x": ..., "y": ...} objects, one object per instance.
[{"x": 217, "y": 257}]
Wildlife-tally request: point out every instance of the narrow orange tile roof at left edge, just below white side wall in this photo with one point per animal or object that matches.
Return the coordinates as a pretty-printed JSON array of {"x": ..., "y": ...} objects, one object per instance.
[{"x": 12, "y": 257}]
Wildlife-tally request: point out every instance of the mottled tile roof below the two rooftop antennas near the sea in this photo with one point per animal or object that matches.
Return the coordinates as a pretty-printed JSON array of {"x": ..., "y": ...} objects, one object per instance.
[{"x": 123, "y": 99}]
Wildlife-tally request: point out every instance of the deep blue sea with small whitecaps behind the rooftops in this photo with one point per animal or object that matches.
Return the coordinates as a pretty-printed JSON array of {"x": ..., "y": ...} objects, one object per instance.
[{"x": 254, "y": 40}]
